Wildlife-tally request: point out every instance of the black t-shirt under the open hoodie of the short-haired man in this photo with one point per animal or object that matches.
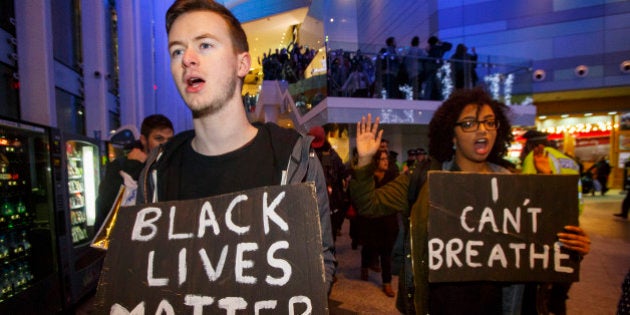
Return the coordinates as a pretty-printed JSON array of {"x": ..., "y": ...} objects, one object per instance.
[{"x": 251, "y": 166}]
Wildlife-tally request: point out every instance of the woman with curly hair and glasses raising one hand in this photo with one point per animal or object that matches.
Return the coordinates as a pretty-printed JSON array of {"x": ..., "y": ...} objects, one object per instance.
[{"x": 470, "y": 132}]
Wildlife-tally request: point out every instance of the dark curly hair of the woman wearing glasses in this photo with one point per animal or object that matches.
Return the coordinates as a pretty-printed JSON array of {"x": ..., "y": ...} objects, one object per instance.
[{"x": 442, "y": 125}]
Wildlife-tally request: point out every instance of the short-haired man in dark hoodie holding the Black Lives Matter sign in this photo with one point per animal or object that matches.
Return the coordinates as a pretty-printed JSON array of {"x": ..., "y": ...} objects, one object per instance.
[{"x": 224, "y": 152}]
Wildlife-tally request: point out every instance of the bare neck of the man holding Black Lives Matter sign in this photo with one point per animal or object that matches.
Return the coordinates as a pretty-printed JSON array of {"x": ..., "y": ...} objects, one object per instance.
[{"x": 222, "y": 132}]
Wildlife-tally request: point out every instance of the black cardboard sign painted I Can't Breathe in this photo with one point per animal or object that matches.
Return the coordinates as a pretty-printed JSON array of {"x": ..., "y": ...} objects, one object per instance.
[{"x": 500, "y": 227}]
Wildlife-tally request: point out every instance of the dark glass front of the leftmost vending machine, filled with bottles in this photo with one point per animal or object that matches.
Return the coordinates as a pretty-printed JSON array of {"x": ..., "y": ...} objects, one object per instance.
[{"x": 28, "y": 257}]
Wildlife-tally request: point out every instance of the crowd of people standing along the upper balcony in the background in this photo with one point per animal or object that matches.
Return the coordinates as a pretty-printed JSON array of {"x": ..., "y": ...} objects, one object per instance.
[{"x": 413, "y": 72}]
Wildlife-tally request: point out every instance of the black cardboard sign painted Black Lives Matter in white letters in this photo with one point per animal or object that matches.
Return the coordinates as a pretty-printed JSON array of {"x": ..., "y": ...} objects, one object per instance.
[{"x": 251, "y": 252}]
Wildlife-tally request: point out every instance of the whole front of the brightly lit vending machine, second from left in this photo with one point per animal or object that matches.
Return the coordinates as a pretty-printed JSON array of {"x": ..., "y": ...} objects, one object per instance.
[{"x": 77, "y": 176}]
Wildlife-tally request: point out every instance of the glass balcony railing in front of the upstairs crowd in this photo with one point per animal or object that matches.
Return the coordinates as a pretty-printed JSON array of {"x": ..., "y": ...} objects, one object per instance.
[{"x": 401, "y": 75}]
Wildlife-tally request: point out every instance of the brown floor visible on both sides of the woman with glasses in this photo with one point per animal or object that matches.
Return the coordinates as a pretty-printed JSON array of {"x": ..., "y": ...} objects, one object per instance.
[{"x": 597, "y": 292}]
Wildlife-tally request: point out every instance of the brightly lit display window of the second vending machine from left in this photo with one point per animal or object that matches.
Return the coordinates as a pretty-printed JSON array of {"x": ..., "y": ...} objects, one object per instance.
[{"x": 83, "y": 178}]
